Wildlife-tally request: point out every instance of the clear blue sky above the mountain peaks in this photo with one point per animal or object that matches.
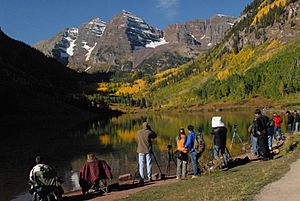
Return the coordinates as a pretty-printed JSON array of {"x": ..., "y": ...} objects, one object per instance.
[{"x": 33, "y": 20}]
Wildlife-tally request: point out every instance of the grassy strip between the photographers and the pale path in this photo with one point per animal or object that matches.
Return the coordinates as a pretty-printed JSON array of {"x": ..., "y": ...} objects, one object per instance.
[{"x": 239, "y": 183}]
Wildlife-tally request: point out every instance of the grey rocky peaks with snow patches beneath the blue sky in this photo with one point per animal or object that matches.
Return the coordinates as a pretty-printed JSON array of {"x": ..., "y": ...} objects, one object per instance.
[{"x": 127, "y": 42}]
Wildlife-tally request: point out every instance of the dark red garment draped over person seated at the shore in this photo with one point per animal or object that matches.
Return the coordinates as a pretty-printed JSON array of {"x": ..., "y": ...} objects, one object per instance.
[{"x": 95, "y": 170}]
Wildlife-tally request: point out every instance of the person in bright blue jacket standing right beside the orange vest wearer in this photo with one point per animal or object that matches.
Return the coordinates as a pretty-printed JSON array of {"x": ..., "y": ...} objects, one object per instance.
[{"x": 193, "y": 154}]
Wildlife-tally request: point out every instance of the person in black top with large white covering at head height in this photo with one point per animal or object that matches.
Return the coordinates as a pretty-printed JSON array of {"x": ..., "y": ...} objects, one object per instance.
[{"x": 219, "y": 132}]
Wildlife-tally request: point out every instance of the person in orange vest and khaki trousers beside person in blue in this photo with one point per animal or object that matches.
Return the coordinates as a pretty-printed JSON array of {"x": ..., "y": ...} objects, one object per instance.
[{"x": 182, "y": 155}]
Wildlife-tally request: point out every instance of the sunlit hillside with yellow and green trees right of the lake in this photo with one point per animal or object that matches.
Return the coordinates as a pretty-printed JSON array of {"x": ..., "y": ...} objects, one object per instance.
[{"x": 258, "y": 59}]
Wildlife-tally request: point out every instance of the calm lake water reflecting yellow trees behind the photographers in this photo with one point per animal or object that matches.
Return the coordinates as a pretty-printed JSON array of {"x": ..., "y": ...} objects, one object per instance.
[{"x": 111, "y": 139}]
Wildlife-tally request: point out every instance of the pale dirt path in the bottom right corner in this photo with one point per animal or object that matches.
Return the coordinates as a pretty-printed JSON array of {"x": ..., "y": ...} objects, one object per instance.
[{"x": 287, "y": 188}]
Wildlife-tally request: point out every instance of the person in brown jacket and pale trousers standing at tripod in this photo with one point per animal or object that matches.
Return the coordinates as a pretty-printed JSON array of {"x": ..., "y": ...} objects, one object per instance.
[{"x": 144, "y": 149}]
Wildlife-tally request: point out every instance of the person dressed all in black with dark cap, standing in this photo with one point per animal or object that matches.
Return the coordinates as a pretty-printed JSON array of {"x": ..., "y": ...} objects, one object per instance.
[{"x": 262, "y": 134}]
